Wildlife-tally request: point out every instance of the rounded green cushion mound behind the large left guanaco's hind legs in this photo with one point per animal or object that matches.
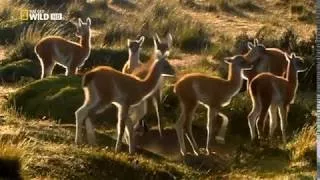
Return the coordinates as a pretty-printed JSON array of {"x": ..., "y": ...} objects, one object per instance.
[{"x": 54, "y": 97}]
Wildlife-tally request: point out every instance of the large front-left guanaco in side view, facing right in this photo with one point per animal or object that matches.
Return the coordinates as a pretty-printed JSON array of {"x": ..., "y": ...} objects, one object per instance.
[{"x": 104, "y": 86}]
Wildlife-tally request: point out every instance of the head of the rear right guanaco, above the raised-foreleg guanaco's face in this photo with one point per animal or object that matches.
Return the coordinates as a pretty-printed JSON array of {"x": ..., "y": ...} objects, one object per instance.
[{"x": 255, "y": 51}]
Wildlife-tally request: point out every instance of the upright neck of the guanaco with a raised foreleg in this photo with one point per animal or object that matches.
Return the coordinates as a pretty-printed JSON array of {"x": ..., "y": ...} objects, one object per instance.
[{"x": 234, "y": 78}]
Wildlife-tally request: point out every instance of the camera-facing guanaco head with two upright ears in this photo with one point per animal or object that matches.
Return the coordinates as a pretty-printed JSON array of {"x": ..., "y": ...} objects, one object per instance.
[{"x": 162, "y": 47}]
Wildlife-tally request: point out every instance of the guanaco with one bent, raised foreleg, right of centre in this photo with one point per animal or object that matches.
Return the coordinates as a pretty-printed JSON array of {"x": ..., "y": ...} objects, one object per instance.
[{"x": 211, "y": 92}]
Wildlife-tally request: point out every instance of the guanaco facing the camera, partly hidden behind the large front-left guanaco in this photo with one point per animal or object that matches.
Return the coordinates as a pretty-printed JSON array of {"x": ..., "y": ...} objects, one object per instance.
[{"x": 160, "y": 47}]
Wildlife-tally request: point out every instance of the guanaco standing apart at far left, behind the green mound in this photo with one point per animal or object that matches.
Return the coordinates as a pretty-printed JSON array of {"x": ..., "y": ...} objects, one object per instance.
[{"x": 54, "y": 50}]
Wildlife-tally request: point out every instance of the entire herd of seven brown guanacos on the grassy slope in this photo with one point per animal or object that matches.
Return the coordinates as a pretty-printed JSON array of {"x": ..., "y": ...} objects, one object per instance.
[{"x": 271, "y": 76}]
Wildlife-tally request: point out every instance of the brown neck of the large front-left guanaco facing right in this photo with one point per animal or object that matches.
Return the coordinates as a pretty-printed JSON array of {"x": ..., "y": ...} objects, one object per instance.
[{"x": 151, "y": 81}]
